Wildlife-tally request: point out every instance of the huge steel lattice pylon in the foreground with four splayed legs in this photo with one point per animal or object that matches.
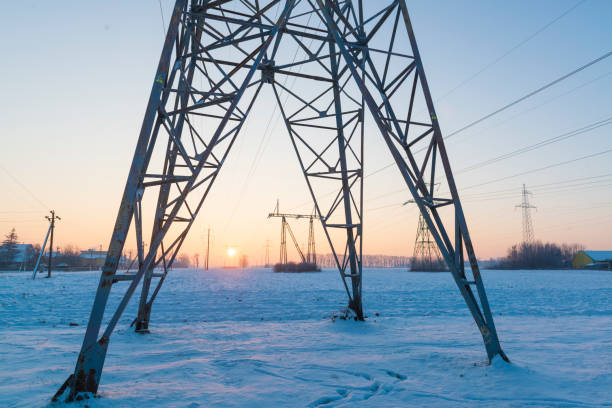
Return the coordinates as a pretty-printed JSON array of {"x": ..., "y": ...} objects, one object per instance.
[{"x": 352, "y": 57}]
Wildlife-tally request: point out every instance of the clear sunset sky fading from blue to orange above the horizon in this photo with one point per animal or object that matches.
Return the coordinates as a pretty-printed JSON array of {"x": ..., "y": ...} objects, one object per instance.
[{"x": 77, "y": 76}]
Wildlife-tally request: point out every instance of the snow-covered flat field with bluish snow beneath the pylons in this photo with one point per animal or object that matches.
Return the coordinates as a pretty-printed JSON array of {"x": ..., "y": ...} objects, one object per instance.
[{"x": 251, "y": 338}]
